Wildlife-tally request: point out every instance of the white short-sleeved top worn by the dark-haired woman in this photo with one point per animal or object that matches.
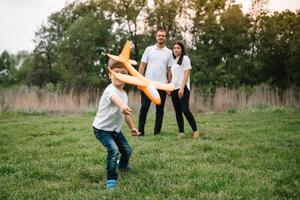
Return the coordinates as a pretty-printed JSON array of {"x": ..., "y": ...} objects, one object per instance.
[{"x": 178, "y": 72}]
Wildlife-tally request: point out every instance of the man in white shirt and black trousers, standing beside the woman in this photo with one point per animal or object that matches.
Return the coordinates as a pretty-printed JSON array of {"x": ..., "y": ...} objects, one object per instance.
[{"x": 155, "y": 65}]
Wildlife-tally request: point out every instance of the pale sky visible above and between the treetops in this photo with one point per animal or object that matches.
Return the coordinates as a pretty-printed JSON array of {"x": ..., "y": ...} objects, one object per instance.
[{"x": 20, "y": 19}]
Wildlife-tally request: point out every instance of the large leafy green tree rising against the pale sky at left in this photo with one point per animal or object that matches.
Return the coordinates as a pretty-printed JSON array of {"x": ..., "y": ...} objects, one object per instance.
[{"x": 70, "y": 47}]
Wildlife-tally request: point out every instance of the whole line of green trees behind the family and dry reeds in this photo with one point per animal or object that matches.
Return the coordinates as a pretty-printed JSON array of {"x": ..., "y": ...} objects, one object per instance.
[{"x": 227, "y": 47}]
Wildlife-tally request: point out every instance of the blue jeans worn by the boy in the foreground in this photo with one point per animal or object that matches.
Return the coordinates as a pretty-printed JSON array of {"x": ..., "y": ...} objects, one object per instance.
[{"x": 115, "y": 144}]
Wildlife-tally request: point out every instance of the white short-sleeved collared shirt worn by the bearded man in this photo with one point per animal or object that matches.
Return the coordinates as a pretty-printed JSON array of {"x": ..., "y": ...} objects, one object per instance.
[{"x": 158, "y": 60}]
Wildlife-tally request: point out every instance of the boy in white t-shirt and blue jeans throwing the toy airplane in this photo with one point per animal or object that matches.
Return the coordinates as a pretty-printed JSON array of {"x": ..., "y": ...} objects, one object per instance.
[{"x": 112, "y": 112}]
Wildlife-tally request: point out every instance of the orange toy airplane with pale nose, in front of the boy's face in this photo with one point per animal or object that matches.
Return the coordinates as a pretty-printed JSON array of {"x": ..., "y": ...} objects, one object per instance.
[{"x": 147, "y": 86}]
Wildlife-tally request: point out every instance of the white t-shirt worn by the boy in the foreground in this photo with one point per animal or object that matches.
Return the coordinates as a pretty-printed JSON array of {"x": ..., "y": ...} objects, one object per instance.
[{"x": 109, "y": 116}]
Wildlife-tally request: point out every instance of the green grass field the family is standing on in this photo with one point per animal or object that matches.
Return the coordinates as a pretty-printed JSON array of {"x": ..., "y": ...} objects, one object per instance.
[{"x": 248, "y": 155}]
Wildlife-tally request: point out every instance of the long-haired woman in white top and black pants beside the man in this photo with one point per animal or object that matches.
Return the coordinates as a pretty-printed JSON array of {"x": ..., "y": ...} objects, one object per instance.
[{"x": 180, "y": 71}]
